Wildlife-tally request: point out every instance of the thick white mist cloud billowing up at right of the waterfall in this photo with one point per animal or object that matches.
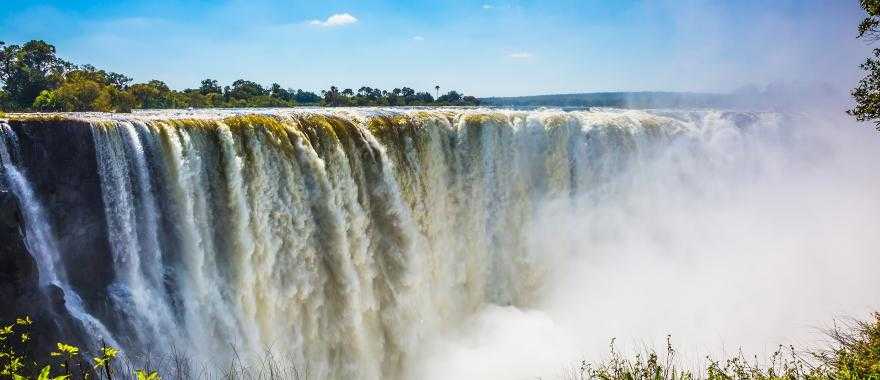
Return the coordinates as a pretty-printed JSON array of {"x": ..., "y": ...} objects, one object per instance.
[{"x": 739, "y": 239}]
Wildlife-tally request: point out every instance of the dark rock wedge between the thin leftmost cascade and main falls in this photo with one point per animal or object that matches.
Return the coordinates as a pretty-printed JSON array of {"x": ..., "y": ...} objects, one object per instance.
[{"x": 58, "y": 158}]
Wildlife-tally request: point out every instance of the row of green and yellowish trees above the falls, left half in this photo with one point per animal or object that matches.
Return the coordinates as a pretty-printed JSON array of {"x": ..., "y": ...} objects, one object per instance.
[{"x": 34, "y": 78}]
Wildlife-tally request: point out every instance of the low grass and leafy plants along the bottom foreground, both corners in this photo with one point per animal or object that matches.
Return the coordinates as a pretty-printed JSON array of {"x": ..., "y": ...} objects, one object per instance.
[{"x": 853, "y": 354}]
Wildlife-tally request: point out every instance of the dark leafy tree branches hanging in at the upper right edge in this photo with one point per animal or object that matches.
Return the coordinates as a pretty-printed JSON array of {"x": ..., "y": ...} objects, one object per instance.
[{"x": 867, "y": 93}]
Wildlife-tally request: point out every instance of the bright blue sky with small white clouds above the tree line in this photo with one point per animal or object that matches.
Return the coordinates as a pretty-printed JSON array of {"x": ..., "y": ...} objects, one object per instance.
[{"x": 503, "y": 47}]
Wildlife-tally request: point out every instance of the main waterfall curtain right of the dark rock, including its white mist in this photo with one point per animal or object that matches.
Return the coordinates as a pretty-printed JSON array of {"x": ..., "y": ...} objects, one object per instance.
[{"x": 479, "y": 243}]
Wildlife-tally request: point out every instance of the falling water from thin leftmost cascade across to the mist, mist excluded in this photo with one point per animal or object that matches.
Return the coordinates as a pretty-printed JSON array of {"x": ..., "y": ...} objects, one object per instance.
[{"x": 337, "y": 239}]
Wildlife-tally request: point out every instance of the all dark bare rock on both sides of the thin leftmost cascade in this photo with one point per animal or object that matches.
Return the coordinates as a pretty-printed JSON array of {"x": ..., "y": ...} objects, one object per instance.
[{"x": 58, "y": 159}]
